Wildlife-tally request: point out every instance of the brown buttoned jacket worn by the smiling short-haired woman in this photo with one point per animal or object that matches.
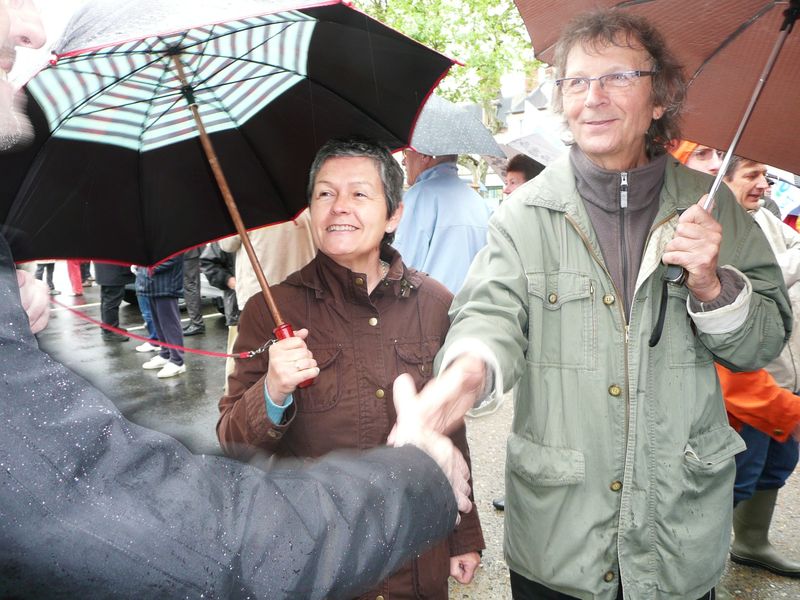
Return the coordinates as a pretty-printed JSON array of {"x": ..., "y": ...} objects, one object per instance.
[{"x": 361, "y": 343}]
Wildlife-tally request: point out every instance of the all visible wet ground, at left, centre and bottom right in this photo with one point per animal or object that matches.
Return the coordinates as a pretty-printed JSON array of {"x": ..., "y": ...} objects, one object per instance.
[{"x": 186, "y": 408}]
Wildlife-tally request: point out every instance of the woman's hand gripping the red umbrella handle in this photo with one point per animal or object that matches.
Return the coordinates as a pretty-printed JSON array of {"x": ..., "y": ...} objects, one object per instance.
[{"x": 290, "y": 363}]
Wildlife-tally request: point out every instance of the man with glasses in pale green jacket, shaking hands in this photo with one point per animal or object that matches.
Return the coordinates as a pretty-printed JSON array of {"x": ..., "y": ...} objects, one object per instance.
[{"x": 620, "y": 461}]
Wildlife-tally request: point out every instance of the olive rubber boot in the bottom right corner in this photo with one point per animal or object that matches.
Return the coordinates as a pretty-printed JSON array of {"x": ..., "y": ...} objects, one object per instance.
[{"x": 751, "y": 546}]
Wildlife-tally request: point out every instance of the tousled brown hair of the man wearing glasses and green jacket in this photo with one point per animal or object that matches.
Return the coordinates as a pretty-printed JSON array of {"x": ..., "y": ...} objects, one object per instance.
[{"x": 618, "y": 28}]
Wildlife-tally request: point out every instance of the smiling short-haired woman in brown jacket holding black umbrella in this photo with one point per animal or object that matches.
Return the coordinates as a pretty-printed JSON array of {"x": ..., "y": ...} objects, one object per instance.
[{"x": 363, "y": 319}]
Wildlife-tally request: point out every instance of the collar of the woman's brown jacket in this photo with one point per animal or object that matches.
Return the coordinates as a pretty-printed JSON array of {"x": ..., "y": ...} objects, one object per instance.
[{"x": 329, "y": 279}]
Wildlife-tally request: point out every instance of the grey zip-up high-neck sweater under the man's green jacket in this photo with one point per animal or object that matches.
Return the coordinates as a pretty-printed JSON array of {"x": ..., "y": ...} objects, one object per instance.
[{"x": 621, "y": 221}]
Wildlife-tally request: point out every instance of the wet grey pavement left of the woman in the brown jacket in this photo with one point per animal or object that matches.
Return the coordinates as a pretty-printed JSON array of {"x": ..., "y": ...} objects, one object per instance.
[{"x": 184, "y": 406}]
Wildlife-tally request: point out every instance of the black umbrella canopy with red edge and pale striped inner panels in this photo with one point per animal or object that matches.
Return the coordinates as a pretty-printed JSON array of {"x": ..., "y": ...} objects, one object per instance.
[{"x": 116, "y": 171}]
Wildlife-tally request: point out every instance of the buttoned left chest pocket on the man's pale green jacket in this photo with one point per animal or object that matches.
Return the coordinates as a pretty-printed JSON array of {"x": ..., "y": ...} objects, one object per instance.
[{"x": 562, "y": 320}]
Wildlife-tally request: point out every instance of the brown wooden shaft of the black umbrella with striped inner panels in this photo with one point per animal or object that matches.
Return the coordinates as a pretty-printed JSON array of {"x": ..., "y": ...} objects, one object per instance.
[{"x": 230, "y": 203}]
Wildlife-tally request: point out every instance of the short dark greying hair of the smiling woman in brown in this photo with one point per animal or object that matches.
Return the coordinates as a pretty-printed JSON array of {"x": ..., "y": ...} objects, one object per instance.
[{"x": 390, "y": 172}]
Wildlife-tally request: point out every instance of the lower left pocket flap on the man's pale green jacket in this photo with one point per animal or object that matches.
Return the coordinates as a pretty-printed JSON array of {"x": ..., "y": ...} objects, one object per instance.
[{"x": 546, "y": 466}]
